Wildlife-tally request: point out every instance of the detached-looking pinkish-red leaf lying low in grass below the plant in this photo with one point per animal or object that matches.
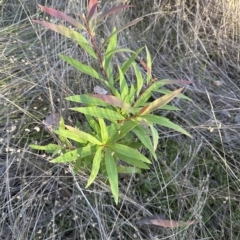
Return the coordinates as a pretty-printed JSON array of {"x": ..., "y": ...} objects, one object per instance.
[{"x": 159, "y": 220}]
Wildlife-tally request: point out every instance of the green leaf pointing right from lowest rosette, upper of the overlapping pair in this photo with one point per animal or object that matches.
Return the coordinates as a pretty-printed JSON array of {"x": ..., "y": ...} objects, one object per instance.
[{"x": 127, "y": 151}]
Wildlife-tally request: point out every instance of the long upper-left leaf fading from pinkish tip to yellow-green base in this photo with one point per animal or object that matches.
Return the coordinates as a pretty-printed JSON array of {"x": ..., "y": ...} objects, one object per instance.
[{"x": 69, "y": 33}]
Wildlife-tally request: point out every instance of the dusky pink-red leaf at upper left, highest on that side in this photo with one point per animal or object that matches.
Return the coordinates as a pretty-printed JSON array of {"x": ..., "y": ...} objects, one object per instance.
[{"x": 61, "y": 15}]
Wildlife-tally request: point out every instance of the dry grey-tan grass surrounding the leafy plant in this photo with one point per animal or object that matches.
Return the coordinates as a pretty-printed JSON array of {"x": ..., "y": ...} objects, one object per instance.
[{"x": 193, "y": 178}]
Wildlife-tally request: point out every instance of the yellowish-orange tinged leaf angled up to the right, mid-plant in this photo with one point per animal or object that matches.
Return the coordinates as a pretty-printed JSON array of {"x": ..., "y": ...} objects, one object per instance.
[{"x": 160, "y": 102}]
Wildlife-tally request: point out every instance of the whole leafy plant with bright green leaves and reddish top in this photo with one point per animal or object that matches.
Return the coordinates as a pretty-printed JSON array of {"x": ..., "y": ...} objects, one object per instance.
[{"x": 118, "y": 124}]
